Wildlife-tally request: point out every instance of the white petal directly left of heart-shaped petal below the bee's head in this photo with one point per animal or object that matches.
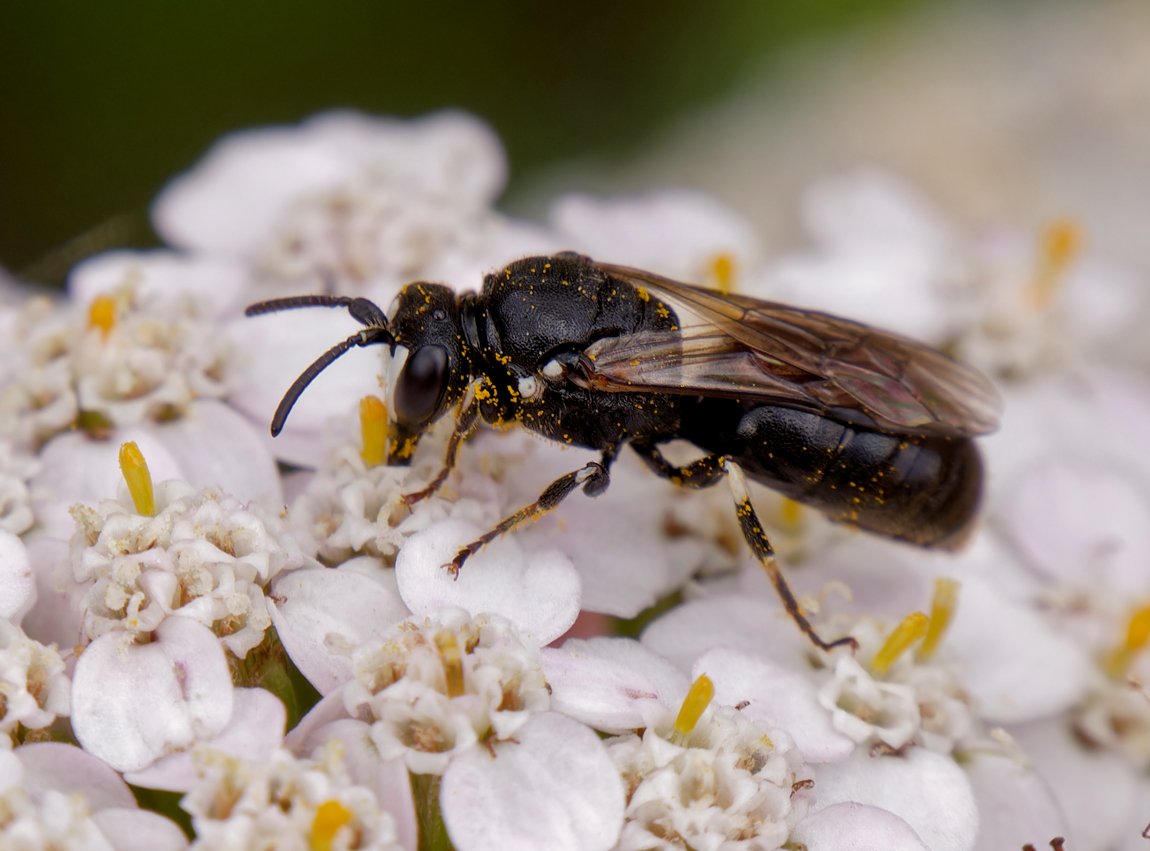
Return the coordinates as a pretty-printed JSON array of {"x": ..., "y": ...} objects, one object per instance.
[{"x": 321, "y": 615}]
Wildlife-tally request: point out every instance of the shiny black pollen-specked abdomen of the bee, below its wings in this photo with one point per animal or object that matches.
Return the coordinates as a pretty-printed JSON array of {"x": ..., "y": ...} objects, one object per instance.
[{"x": 914, "y": 488}]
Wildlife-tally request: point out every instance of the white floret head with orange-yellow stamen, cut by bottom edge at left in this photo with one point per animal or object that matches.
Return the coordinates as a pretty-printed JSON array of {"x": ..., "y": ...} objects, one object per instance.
[{"x": 287, "y": 803}]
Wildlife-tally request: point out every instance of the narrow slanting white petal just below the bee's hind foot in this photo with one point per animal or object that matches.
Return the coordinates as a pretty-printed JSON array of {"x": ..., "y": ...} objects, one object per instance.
[{"x": 778, "y": 696}]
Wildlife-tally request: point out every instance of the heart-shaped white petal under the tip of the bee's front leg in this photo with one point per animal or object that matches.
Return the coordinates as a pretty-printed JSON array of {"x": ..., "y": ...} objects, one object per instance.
[{"x": 538, "y": 592}]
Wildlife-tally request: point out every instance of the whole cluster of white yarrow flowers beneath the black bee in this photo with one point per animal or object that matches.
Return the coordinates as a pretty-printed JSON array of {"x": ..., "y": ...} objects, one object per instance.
[{"x": 269, "y": 630}]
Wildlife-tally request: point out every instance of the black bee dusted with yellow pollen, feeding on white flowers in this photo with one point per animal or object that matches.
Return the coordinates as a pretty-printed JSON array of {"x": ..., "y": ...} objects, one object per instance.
[{"x": 870, "y": 428}]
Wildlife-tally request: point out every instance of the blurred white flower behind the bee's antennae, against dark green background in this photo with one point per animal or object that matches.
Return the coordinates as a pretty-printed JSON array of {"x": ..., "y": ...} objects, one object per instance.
[{"x": 369, "y": 203}]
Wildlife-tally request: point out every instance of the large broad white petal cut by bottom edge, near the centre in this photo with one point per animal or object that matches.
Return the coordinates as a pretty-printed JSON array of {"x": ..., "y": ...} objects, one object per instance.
[{"x": 555, "y": 788}]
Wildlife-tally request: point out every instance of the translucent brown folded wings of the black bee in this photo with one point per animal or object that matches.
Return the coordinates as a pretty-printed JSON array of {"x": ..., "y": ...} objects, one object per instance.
[{"x": 762, "y": 351}]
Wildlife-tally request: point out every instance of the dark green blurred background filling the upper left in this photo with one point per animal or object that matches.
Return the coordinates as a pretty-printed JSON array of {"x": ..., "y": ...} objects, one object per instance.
[{"x": 103, "y": 103}]
